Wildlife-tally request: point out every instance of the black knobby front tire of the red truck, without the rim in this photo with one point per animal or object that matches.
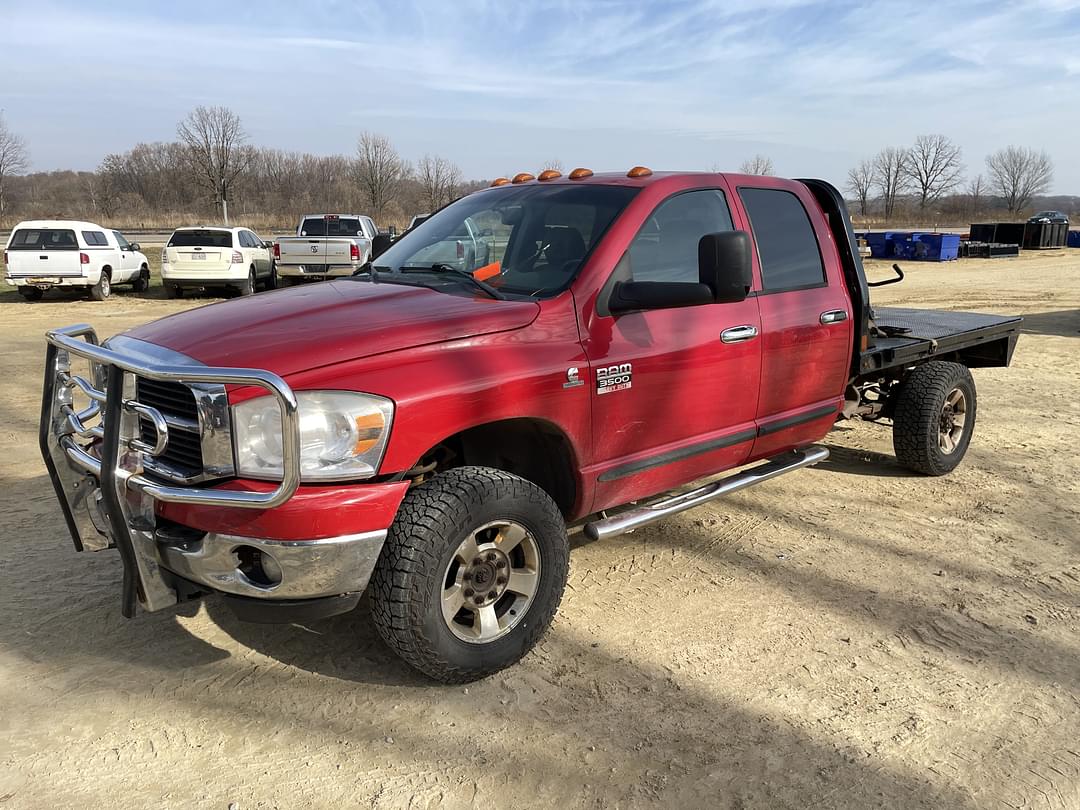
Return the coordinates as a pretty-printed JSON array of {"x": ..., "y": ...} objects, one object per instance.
[{"x": 408, "y": 585}]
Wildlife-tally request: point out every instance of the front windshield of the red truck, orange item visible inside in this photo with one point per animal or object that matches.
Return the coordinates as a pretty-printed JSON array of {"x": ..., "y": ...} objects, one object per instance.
[{"x": 530, "y": 240}]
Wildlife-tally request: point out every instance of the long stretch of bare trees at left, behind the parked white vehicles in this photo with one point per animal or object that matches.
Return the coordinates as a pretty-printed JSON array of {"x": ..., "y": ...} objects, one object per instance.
[{"x": 212, "y": 172}]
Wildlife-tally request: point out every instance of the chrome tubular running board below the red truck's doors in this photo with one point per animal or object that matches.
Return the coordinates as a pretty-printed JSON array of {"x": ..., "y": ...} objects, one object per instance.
[{"x": 638, "y": 517}]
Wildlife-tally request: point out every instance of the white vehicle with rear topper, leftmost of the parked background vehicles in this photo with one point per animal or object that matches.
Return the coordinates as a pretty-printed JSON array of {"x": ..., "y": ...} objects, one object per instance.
[{"x": 43, "y": 254}]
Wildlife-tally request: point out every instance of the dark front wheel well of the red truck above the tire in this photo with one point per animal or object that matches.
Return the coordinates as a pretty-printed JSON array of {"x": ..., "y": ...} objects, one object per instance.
[{"x": 533, "y": 449}]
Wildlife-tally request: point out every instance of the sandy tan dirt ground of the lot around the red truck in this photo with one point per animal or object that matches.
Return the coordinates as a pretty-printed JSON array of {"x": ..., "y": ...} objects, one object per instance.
[{"x": 848, "y": 637}]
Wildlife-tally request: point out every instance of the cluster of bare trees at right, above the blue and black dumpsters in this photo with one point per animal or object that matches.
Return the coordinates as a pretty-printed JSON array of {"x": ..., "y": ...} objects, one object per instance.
[{"x": 930, "y": 178}]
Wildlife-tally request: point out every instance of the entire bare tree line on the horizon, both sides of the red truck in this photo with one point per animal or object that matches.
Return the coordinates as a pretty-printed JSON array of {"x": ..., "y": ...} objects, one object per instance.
[{"x": 213, "y": 172}]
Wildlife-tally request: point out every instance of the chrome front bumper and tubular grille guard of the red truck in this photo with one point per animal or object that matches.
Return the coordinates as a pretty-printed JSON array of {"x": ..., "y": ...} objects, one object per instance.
[{"x": 112, "y": 502}]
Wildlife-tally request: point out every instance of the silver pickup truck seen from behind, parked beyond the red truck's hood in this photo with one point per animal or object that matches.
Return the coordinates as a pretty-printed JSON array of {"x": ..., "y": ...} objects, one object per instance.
[{"x": 326, "y": 246}]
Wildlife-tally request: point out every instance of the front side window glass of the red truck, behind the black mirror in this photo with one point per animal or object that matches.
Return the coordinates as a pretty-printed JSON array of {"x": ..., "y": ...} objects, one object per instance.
[{"x": 666, "y": 249}]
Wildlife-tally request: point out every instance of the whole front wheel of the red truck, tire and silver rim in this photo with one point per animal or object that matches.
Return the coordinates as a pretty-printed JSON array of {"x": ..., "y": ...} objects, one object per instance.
[{"x": 471, "y": 574}]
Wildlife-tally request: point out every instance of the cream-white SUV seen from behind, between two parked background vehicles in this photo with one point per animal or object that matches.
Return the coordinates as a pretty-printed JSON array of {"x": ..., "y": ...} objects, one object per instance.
[{"x": 209, "y": 256}]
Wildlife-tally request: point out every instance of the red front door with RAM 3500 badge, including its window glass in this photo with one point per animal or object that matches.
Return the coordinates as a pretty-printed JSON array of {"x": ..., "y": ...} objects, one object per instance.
[{"x": 674, "y": 390}]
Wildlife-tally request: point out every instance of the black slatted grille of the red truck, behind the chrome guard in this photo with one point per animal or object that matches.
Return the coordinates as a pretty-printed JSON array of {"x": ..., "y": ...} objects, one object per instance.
[{"x": 178, "y": 403}]
